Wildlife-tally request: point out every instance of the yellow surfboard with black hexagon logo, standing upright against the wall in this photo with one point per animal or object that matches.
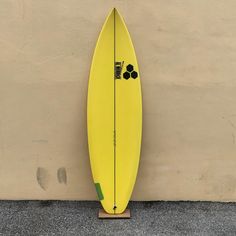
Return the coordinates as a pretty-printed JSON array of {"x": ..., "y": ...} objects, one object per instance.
[{"x": 114, "y": 115}]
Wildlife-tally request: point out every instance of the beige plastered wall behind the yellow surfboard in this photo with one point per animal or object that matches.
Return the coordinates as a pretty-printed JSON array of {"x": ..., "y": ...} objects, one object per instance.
[{"x": 187, "y": 56}]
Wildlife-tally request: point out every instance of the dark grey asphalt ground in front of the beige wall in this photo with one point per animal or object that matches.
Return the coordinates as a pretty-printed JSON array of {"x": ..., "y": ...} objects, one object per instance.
[{"x": 148, "y": 218}]
